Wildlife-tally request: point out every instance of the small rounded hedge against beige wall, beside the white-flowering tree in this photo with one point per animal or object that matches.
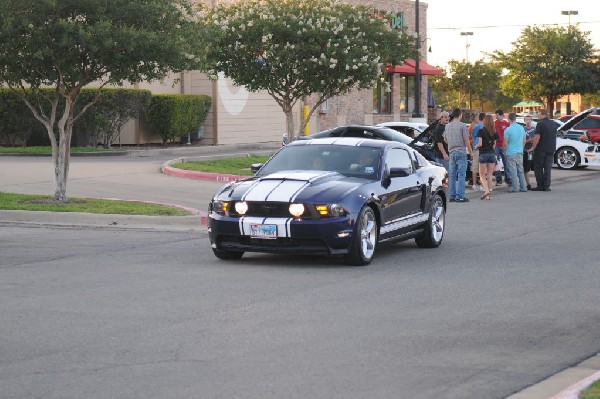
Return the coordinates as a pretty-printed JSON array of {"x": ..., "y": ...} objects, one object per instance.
[{"x": 174, "y": 116}]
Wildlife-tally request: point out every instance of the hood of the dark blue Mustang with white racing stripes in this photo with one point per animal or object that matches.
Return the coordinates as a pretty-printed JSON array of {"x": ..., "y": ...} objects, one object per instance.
[{"x": 293, "y": 186}]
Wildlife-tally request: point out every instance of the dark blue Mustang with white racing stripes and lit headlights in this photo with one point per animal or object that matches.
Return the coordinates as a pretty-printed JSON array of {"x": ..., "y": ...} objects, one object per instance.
[{"x": 336, "y": 196}]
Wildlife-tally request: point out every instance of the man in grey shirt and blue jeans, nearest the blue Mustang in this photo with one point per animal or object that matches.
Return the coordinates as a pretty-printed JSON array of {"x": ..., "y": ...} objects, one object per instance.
[{"x": 457, "y": 137}]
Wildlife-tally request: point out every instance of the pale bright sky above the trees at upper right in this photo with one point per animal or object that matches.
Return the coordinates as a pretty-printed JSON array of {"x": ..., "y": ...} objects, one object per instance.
[{"x": 497, "y": 24}]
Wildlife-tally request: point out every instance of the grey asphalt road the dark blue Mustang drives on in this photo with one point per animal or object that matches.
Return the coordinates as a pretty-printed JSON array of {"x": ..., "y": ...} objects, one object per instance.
[{"x": 510, "y": 298}]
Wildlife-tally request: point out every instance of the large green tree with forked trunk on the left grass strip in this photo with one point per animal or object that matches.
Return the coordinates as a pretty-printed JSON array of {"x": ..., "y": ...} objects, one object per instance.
[{"x": 68, "y": 44}]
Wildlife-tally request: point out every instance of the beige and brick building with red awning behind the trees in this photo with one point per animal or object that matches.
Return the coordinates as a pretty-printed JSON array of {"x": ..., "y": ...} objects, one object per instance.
[{"x": 238, "y": 116}]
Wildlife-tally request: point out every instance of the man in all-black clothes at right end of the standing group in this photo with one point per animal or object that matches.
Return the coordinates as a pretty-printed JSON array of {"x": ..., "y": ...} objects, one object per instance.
[{"x": 543, "y": 147}]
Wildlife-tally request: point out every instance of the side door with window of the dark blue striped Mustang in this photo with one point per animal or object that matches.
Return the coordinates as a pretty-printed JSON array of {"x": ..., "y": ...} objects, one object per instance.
[{"x": 401, "y": 203}]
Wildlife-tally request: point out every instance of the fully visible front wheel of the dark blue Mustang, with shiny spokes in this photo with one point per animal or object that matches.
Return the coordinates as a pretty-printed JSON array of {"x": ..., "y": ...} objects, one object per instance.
[{"x": 364, "y": 242}]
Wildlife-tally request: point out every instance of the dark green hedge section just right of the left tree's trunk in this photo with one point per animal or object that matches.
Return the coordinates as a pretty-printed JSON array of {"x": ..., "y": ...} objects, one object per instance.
[{"x": 109, "y": 113}]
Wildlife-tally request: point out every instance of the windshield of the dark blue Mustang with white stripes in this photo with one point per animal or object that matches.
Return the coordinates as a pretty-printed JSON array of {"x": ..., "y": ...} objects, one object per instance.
[{"x": 346, "y": 160}]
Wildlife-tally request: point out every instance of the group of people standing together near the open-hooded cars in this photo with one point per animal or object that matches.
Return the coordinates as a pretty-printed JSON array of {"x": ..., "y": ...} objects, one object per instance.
[{"x": 493, "y": 142}]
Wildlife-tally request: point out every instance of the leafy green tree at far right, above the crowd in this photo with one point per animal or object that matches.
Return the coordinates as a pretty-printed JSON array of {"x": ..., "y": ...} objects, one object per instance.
[{"x": 548, "y": 63}]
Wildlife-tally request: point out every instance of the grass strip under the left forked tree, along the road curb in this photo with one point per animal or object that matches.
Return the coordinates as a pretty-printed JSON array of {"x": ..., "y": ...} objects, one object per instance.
[{"x": 26, "y": 202}]
